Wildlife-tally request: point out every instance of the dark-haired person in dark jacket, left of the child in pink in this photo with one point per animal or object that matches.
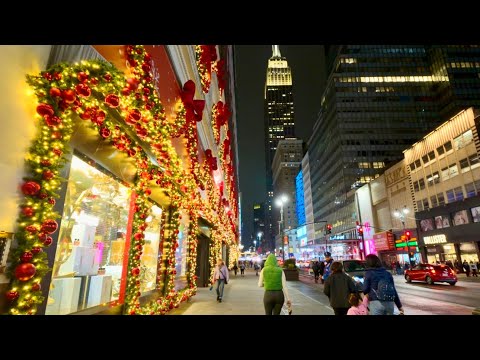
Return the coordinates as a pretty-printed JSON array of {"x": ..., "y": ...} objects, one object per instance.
[{"x": 338, "y": 287}]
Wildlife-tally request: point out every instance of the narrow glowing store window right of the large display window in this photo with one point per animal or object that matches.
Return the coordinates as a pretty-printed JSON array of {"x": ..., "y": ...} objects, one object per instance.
[{"x": 150, "y": 255}]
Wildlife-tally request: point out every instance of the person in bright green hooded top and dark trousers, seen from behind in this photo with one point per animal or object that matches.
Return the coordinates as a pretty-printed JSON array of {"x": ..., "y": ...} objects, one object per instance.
[{"x": 272, "y": 278}]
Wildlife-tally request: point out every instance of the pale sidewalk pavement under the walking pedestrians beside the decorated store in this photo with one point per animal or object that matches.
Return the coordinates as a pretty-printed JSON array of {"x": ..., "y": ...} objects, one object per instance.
[{"x": 242, "y": 296}]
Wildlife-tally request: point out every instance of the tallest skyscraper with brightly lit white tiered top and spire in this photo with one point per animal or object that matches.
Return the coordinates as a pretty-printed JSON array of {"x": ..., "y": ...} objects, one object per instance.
[{"x": 279, "y": 123}]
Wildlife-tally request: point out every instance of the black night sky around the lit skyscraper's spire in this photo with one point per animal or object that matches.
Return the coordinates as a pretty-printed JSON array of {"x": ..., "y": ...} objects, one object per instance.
[{"x": 307, "y": 64}]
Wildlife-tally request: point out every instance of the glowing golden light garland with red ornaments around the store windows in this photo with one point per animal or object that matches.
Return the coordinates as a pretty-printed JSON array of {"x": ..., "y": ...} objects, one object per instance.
[{"x": 101, "y": 95}]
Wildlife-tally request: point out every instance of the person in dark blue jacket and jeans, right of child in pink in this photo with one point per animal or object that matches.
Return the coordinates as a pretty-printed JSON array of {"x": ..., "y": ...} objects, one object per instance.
[{"x": 379, "y": 287}]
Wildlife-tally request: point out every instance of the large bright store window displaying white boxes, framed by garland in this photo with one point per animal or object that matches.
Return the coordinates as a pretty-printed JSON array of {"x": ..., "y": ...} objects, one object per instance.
[{"x": 91, "y": 248}]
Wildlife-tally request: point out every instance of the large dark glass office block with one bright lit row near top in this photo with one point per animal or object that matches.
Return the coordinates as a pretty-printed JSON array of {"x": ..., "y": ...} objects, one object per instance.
[{"x": 378, "y": 101}]
